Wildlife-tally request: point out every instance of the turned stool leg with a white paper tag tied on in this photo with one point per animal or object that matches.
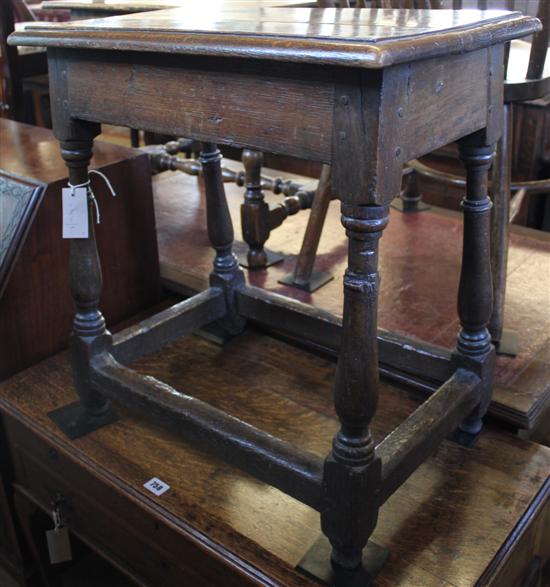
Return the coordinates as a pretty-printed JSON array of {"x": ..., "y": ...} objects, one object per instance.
[{"x": 89, "y": 334}]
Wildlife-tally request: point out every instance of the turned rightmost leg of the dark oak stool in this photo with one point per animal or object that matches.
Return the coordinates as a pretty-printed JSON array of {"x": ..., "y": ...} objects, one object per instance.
[{"x": 475, "y": 293}]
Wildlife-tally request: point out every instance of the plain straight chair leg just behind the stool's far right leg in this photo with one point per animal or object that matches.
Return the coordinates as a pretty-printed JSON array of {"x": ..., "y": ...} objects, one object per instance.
[{"x": 505, "y": 341}]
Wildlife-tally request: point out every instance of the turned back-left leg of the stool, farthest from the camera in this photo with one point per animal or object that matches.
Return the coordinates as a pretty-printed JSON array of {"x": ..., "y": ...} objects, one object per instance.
[{"x": 226, "y": 274}]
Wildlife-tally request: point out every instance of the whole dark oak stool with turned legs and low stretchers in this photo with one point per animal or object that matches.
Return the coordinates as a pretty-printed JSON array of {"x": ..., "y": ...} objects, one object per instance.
[{"x": 371, "y": 90}]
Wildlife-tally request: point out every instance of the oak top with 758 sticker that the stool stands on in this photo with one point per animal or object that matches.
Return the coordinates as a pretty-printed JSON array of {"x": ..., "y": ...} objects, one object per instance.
[{"x": 444, "y": 526}]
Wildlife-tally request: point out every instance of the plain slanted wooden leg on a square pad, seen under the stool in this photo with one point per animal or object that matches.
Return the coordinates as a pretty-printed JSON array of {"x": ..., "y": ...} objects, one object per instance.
[{"x": 303, "y": 276}]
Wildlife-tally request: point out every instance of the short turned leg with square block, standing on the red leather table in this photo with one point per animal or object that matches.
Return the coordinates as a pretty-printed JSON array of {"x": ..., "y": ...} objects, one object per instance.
[{"x": 254, "y": 211}]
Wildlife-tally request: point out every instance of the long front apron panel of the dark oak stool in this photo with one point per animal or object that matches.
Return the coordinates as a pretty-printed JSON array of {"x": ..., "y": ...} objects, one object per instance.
[{"x": 263, "y": 106}]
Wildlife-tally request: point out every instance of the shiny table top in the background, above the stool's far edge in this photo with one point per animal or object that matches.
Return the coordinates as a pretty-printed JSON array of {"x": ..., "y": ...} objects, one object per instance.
[{"x": 131, "y": 6}]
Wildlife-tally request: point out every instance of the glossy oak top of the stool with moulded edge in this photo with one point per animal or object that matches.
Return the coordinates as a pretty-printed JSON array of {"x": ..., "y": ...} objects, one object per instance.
[{"x": 370, "y": 38}]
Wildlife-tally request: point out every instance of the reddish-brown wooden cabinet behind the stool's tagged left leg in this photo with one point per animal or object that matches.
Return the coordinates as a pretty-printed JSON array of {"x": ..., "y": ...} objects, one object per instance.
[{"x": 36, "y": 308}]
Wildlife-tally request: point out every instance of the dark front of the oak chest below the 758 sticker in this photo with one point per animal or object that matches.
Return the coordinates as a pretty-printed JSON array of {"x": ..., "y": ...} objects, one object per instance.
[{"x": 138, "y": 541}]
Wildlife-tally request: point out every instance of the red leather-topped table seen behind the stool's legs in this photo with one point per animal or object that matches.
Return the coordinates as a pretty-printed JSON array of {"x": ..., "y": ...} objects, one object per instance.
[{"x": 419, "y": 265}]
